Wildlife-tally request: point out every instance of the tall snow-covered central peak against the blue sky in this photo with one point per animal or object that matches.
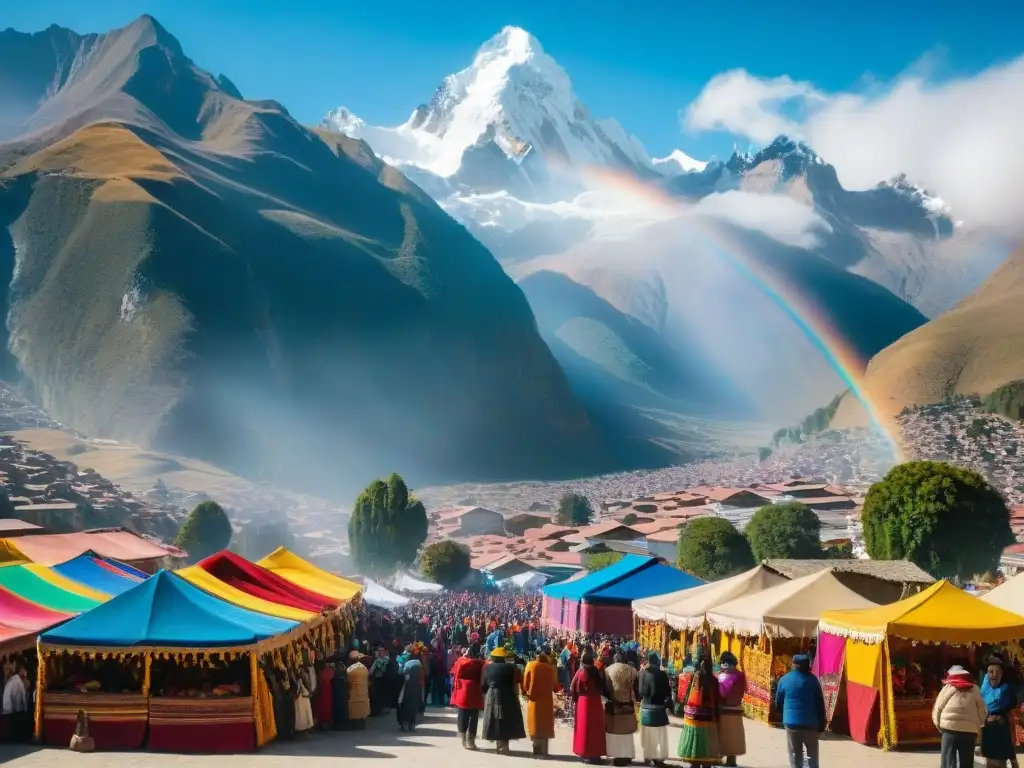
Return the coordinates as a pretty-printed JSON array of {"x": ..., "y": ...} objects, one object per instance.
[{"x": 514, "y": 98}]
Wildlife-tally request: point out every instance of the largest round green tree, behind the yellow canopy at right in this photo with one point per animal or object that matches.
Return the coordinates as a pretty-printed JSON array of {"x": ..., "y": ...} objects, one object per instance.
[{"x": 947, "y": 520}]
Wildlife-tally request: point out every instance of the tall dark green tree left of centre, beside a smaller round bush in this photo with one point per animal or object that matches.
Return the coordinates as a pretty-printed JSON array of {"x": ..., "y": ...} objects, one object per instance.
[{"x": 388, "y": 527}]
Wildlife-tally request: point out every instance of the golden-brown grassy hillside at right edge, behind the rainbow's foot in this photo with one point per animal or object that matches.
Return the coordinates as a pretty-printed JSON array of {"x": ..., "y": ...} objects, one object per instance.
[{"x": 972, "y": 350}]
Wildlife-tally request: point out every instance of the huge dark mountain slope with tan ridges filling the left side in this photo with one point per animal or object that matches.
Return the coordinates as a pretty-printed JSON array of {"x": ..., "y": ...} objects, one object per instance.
[{"x": 197, "y": 273}]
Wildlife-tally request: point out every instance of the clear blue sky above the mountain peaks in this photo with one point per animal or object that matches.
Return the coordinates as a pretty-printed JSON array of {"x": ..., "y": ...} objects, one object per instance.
[{"x": 639, "y": 62}]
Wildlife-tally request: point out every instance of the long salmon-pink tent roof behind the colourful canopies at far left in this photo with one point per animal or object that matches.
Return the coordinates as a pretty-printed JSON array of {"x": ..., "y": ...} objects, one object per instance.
[{"x": 53, "y": 549}]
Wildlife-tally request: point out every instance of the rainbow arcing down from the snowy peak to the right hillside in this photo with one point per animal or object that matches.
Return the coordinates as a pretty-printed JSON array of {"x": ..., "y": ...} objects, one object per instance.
[{"x": 845, "y": 361}]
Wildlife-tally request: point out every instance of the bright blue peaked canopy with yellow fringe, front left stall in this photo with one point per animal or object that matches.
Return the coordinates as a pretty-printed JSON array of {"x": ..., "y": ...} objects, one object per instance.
[{"x": 165, "y": 611}]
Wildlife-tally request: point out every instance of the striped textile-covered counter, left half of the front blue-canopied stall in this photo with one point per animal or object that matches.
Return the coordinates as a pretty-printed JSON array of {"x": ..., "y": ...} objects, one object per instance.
[{"x": 117, "y": 721}]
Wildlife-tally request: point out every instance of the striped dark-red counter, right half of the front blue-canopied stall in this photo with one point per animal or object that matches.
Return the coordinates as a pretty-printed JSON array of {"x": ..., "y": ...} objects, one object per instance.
[{"x": 208, "y": 724}]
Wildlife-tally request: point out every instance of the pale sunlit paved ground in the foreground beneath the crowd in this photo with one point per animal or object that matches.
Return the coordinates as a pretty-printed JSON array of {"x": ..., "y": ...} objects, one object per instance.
[{"x": 436, "y": 745}]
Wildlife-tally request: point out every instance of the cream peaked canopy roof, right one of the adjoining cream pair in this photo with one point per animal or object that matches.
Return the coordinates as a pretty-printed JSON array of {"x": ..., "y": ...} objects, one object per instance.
[{"x": 790, "y": 610}]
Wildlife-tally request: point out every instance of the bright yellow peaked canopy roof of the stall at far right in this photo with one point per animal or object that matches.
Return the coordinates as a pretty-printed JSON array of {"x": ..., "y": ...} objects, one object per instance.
[{"x": 943, "y": 614}]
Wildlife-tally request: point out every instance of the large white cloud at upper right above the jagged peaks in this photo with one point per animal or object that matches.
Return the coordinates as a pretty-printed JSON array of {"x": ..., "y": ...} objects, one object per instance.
[{"x": 960, "y": 139}]
